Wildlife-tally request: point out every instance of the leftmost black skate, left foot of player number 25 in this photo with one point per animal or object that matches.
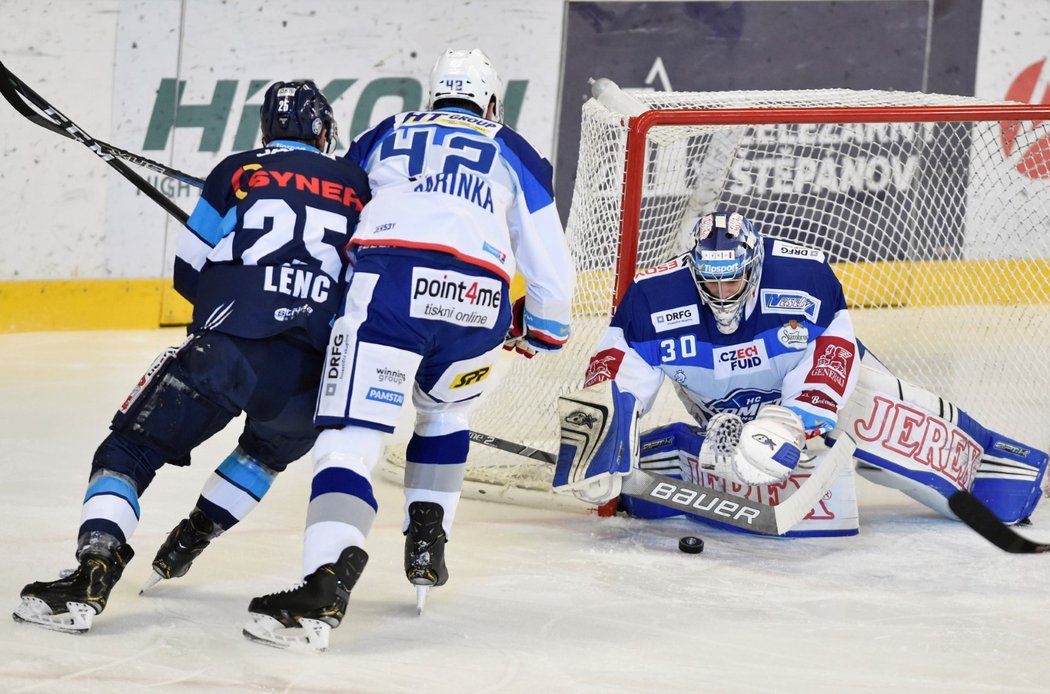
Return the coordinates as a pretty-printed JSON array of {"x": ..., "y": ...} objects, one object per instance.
[{"x": 71, "y": 603}]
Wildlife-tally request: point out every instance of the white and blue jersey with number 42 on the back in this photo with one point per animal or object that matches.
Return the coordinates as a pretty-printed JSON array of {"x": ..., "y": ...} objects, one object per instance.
[{"x": 497, "y": 207}]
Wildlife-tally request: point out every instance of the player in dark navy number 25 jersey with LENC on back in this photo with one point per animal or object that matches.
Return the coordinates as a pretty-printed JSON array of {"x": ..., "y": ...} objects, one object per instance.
[{"x": 263, "y": 263}]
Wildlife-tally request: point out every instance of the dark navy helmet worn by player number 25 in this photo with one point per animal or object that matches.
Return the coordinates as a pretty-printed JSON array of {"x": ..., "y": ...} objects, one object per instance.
[{"x": 298, "y": 111}]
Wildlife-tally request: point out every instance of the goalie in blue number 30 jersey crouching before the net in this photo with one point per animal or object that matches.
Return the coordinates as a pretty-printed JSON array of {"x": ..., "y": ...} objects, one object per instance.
[{"x": 760, "y": 345}]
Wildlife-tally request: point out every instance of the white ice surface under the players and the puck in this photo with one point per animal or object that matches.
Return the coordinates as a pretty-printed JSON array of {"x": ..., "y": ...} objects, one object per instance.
[{"x": 539, "y": 601}]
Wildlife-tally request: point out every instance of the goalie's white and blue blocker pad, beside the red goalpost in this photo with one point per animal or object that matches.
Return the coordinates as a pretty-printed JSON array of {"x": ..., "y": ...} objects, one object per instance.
[{"x": 600, "y": 443}]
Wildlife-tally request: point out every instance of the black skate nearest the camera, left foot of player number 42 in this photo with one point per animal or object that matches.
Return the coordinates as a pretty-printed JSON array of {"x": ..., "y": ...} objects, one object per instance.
[{"x": 305, "y": 616}]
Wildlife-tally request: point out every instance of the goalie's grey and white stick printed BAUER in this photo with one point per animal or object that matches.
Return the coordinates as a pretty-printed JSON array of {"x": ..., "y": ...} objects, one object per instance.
[{"x": 707, "y": 503}]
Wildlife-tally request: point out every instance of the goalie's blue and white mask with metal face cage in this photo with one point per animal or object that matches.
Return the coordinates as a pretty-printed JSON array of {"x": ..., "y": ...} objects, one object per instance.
[{"x": 727, "y": 266}]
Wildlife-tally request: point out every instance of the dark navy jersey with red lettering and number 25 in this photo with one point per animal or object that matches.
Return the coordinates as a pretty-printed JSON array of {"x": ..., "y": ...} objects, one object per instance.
[{"x": 264, "y": 253}]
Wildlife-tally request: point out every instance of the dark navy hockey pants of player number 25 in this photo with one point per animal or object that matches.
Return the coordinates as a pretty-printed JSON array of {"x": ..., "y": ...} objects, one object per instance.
[{"x": 212, "y": 381}]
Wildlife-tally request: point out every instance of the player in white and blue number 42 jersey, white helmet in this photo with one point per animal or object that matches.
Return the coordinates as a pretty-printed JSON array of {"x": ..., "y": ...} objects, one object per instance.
[{"x": 460, "y": 203}]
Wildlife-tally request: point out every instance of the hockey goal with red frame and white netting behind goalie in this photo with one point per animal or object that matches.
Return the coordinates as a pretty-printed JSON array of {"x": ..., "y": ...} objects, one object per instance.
[{"x": 934, "y": 211}]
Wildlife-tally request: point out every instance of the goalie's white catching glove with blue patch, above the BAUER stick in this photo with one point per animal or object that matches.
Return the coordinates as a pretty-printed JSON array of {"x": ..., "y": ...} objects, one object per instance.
[{"x": 763, "y": 452}]
